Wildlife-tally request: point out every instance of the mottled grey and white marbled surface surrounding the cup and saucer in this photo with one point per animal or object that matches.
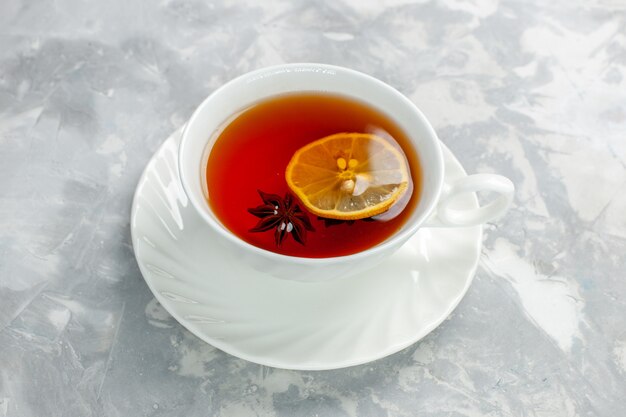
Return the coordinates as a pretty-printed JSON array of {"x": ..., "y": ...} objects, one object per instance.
[{"x": 534, "y": 90}]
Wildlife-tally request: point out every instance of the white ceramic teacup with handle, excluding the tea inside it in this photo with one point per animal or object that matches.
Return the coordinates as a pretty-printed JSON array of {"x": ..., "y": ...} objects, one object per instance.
[{"x": 435, "y": 206}]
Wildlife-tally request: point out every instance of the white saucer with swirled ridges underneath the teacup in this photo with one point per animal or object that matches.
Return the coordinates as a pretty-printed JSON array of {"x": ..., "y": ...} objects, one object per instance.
[{"x": 285, "y": 324}]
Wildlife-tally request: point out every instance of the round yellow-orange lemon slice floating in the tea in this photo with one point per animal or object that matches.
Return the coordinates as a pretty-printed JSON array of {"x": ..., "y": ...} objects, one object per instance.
[{"x": 348, "y": 176}]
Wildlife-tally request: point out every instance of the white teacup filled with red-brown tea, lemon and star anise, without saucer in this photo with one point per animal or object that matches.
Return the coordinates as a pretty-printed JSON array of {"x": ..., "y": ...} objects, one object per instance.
[{"x": 313, "y": 172}]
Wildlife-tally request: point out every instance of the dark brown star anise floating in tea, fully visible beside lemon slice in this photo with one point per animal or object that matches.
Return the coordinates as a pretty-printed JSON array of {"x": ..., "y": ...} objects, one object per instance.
[{"x": 283, "y": 215}]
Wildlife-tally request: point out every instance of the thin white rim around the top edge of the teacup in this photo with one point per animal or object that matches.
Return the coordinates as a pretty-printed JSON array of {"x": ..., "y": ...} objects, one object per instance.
[{"x": 380, "y": 248}]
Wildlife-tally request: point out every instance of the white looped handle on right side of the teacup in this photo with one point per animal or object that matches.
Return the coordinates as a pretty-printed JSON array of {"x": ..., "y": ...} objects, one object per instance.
[{"x": 446, "y": 215}]
